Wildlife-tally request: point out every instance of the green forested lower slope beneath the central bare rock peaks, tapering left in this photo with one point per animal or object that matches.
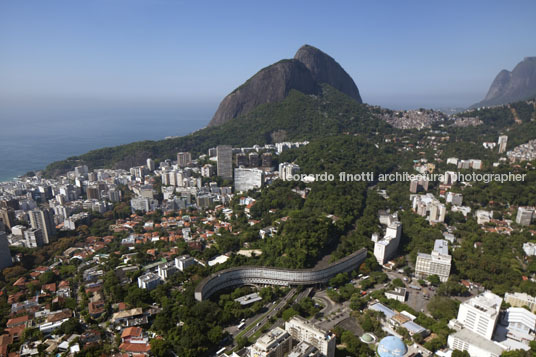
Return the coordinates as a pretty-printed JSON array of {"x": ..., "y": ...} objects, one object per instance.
[{"x": 297, "y": 117}]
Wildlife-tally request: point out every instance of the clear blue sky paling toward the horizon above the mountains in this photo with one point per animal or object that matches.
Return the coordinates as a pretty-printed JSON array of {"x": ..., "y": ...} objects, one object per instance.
[{"x": 400, "y": 53}]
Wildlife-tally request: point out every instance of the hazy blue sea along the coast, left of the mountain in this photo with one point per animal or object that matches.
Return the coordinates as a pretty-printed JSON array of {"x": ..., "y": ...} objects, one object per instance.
[{"x": 32, "y": 136}]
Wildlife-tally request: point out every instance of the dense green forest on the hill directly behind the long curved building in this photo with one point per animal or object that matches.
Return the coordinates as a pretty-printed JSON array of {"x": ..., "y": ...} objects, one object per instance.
[{"x": 313, "y": 227}]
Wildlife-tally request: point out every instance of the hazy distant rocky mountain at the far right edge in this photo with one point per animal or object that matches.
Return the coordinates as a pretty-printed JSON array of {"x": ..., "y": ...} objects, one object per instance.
[{"x": 508, "y": 87}]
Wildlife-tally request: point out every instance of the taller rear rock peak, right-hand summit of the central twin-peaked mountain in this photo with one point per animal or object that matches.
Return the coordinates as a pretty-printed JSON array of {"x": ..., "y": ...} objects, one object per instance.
[{"x": 326, "y": 70}]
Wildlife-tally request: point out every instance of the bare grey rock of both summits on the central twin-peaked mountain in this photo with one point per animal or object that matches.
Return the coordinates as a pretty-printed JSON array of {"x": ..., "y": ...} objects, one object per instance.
[{"x": 309, "y": 68}]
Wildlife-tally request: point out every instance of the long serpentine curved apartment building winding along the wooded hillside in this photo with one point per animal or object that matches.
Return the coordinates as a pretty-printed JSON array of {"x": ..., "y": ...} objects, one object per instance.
[{"x": 276, "y": 276}]
